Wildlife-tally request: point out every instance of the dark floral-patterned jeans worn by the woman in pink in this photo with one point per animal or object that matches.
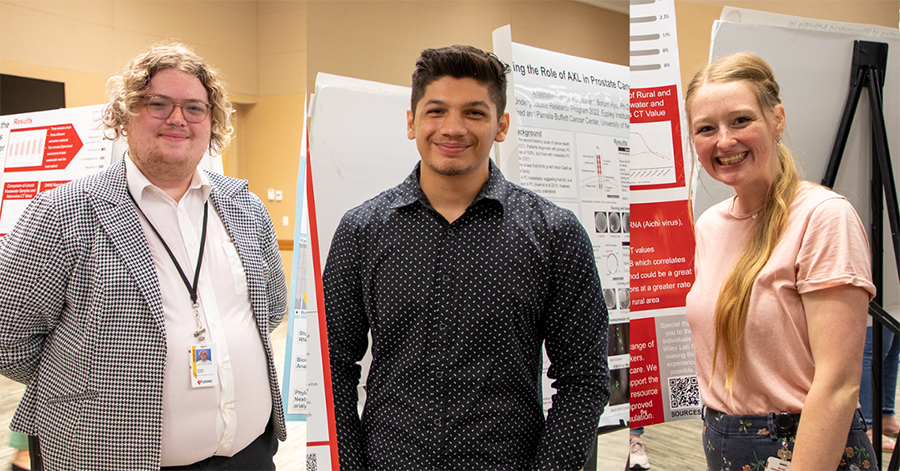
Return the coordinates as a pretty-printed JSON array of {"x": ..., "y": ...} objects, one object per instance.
[{"x": 745, "y": 442}]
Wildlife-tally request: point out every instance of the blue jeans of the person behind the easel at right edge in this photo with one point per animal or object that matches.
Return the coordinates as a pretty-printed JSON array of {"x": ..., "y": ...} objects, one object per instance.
[{"x": 890, "y": 358}]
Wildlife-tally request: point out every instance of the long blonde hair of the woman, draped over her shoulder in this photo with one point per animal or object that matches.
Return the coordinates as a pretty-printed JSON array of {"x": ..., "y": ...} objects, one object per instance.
[{"x": 734, "y": 297}]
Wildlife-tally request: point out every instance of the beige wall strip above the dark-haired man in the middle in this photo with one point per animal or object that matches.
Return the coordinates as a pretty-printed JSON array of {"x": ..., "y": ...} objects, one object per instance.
[{"x": 380, "y": 41}]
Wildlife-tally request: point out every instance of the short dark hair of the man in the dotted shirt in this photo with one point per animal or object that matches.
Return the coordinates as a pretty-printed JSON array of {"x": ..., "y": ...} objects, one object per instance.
[{"x": 460, "y": 62}]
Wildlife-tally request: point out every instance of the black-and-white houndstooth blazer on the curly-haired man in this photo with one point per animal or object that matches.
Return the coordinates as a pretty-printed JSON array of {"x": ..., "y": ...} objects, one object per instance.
[{"x": 81, "y": 319}]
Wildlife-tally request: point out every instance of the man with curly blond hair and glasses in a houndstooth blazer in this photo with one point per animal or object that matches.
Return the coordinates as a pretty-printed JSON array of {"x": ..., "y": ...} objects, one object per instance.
[{"x": 107, "y": 284}]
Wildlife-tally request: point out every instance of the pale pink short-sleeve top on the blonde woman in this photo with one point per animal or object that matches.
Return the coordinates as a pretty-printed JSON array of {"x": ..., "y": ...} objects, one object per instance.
[{"x": 824, "y": 246}]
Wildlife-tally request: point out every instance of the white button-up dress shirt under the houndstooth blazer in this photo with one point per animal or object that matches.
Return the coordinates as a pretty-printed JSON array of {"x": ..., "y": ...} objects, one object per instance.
[{"x": 220, "y": 420}]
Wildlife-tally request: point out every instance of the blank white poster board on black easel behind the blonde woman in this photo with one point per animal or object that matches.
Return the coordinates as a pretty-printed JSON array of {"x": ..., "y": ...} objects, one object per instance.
[{"x": 812, "y": 60}]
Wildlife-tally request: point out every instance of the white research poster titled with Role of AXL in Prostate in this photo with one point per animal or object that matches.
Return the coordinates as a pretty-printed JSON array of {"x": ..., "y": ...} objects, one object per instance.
[{"x": 571, "y": 137}]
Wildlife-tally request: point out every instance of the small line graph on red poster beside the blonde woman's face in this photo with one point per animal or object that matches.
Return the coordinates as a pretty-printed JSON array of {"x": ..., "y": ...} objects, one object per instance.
[{"x": 652, "y": 159}]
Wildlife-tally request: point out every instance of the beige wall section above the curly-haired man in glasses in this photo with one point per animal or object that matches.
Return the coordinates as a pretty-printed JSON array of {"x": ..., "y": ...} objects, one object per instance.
[{"x": 97, "y": 36}]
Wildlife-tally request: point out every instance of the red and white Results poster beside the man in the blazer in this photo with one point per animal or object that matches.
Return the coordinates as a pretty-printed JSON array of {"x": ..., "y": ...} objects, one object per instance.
[{"x": 43, "y": 150}]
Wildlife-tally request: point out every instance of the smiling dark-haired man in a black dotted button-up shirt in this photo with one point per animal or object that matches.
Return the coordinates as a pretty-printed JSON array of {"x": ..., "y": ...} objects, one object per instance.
[{"x": 461, "y": 277}]
